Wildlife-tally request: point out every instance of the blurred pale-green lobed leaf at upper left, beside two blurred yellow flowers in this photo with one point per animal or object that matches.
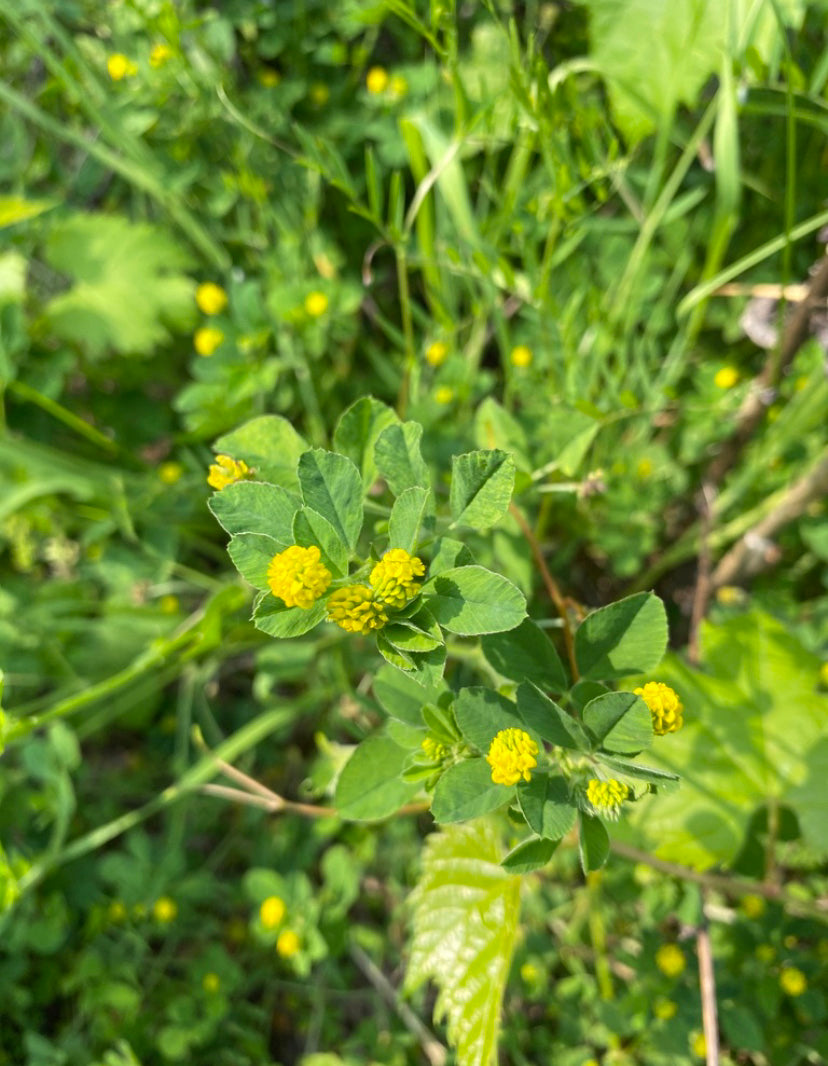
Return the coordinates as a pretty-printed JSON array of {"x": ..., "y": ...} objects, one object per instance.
[{"x": 129, "y": 287}]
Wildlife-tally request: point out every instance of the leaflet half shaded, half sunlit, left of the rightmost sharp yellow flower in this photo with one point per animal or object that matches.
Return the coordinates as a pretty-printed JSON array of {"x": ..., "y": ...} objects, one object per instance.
[{"x": 629, "y": 637}]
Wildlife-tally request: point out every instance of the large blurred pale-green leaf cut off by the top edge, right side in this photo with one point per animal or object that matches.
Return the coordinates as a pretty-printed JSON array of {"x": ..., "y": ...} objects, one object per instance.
[{"x": 686, "y": 42}]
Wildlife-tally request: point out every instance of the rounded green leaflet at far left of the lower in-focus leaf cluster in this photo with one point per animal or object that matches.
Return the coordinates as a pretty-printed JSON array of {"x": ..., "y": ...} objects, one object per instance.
[{"x": 370, "y": 786}]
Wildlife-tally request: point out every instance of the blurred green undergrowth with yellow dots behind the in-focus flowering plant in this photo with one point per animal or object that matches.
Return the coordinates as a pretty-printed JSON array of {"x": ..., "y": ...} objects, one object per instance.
[{"x": 513, "y": 221}]
